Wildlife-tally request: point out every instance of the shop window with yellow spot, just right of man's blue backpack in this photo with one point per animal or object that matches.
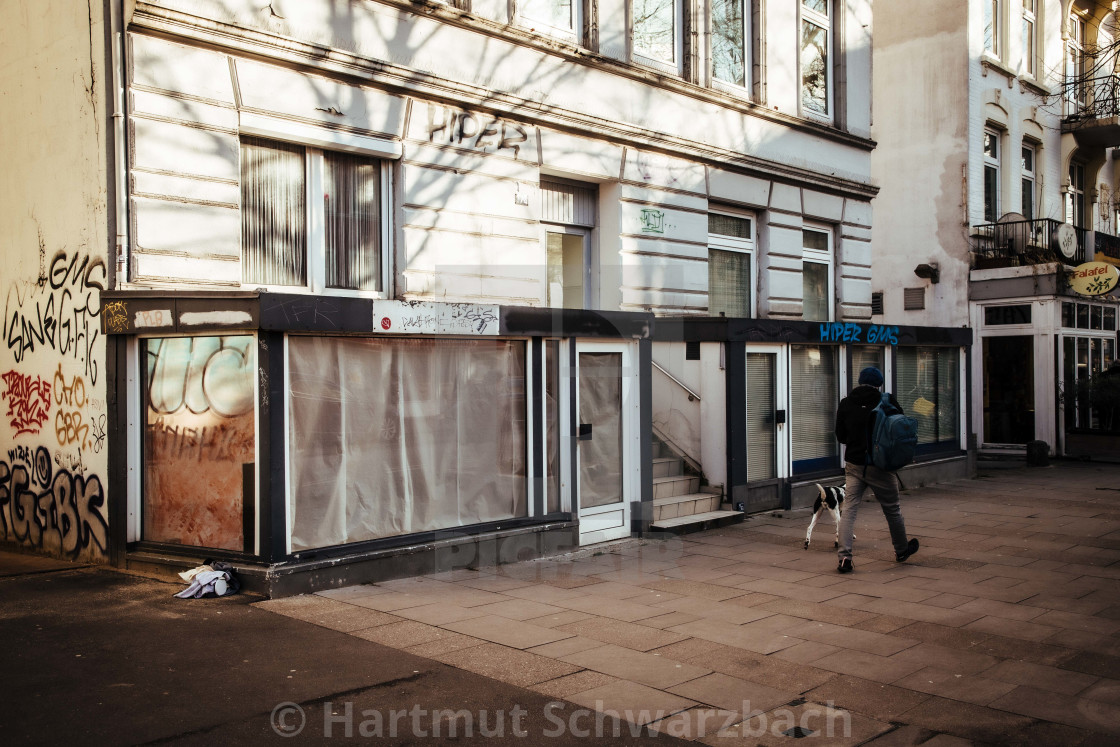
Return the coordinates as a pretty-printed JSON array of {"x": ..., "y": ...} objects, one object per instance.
[{"x": 929, "y": 390}]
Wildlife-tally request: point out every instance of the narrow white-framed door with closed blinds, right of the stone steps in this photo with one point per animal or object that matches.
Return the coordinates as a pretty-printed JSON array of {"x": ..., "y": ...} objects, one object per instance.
[{"x": 768, "y": 414}]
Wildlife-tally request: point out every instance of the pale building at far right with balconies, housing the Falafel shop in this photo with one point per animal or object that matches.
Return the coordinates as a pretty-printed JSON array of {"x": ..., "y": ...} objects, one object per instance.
[{"x": 1000, "y": 178}]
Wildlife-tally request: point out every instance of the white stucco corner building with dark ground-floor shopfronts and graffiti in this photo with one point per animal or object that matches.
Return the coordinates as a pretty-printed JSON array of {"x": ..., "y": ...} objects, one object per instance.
[{"x": 347, "y": 292}]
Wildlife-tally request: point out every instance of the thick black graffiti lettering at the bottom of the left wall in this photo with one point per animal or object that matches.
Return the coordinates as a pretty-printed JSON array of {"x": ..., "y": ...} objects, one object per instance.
[{"x": 51, "y": 505}]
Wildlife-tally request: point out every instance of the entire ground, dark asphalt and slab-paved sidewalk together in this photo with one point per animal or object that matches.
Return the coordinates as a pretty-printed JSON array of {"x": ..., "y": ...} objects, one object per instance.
[{"x": 1003, "y": 630}]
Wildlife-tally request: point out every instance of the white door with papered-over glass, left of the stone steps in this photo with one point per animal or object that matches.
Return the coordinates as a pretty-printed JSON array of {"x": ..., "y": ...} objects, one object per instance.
[{"x": 606, "y": 410}]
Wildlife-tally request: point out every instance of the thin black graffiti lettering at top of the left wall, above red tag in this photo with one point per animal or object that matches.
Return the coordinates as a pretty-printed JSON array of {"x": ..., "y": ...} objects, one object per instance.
[{"x": 59, "y": 312}]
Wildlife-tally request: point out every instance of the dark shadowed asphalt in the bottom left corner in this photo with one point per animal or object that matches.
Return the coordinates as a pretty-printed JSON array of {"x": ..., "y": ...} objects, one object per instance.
[{"x": 96, "y": 657}]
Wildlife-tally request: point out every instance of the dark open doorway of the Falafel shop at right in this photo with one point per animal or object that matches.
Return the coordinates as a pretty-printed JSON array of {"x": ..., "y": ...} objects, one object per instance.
[{"x": 1009, "y": 390}]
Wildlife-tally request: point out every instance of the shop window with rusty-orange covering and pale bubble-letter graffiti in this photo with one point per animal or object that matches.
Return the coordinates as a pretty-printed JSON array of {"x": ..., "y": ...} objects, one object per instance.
[{"x": 200, "y": 442}]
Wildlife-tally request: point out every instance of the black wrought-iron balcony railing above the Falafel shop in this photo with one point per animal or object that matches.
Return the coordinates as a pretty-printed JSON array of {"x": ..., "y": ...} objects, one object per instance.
[{"x": 1024, "y": 242}]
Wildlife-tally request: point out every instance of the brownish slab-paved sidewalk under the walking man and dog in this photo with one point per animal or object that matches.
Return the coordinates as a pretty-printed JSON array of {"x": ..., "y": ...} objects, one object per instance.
[{"x": 1002, "y": 630}]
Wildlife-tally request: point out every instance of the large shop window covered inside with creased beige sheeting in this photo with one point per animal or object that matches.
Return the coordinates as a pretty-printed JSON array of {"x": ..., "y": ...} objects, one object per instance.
[{"x": 393, "y": 437}]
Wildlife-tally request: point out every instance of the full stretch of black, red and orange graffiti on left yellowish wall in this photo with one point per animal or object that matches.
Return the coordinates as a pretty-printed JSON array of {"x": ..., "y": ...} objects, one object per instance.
[{"x": 50, "y": 500}]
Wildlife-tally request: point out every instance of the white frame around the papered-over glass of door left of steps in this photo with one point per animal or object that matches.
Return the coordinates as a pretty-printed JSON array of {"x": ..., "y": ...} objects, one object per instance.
[{"x": 613, "y": 521}]
